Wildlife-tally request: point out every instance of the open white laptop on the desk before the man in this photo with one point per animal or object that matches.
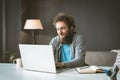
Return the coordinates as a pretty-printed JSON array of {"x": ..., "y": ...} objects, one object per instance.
[{"x": 38, "y": 58}]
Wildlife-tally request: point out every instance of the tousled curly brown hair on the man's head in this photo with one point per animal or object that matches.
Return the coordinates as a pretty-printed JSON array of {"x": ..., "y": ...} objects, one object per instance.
[{"x": 66, "y": 18}]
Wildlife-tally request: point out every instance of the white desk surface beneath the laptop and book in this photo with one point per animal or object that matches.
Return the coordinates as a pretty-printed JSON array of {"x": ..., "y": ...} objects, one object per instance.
[{"x": 11, "y": 72}]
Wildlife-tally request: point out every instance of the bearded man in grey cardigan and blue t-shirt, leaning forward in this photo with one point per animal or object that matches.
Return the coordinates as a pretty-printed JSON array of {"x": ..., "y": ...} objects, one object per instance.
[{"x": 69, "y": 46}]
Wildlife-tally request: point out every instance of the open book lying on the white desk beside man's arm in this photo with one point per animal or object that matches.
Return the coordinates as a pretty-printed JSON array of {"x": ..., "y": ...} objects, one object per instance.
[{"x": 89, "y": 69}]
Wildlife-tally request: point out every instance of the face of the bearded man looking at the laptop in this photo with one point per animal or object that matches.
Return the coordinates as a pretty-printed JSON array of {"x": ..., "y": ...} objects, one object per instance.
[{"x": 63, "y": 30}]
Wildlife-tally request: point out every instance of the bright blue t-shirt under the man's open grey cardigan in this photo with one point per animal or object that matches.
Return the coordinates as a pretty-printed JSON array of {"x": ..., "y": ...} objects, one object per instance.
[{"x": 66, "y": 54}]
